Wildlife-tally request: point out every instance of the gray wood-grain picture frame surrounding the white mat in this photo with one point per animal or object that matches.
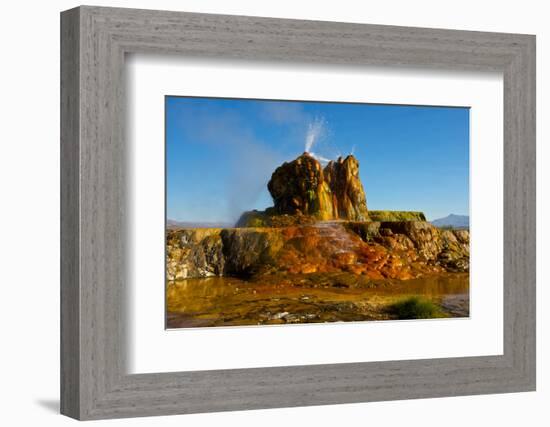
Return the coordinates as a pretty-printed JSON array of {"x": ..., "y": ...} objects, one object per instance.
[{"x": 94, "y": 382}]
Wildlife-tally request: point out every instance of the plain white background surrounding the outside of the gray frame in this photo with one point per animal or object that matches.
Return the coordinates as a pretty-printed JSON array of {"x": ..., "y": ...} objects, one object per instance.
[{"x": 29, "y": 214}]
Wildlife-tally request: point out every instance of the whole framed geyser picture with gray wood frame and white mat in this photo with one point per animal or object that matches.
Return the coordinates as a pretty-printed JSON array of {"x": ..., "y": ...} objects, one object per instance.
[{"x": 345, "y": 212}]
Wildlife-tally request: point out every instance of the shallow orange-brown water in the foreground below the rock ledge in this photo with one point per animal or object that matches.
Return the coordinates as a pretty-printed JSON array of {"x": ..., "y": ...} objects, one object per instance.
[{"x": 224, "y": 301}]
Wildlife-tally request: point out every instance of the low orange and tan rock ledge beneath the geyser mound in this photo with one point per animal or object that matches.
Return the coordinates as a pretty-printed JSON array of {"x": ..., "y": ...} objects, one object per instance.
[{"x": 396, "y": 250}]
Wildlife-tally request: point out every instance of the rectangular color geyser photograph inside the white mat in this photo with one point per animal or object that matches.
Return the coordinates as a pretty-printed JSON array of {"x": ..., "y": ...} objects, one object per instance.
[{"x": 286, "y": 212}]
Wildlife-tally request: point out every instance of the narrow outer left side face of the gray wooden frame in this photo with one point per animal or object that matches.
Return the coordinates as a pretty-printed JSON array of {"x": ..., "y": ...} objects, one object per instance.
[{"x": 70, "y": 221}]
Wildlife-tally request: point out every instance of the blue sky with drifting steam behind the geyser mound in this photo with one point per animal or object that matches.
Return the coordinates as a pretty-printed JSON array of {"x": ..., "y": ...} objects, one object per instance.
[{"x": 220, "y": 153}]
